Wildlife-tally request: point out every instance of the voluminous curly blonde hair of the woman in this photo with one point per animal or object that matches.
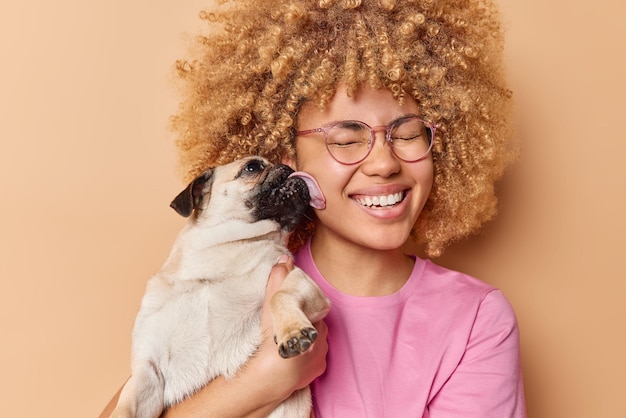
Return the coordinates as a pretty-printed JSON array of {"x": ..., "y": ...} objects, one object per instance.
[{"x": 260, "y": 61}]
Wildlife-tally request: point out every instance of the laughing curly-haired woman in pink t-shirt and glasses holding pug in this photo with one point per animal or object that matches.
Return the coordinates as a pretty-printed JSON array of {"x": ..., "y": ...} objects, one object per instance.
[{"x": 400, "y": 111}]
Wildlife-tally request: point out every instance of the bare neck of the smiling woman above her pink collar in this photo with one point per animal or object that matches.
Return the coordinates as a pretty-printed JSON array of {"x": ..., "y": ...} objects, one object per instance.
[{"x": 357, "y": 270}]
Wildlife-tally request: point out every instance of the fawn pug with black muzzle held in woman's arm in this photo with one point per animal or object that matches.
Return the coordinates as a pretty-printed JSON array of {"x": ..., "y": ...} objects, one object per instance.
[{"x": 200, "y": 315}]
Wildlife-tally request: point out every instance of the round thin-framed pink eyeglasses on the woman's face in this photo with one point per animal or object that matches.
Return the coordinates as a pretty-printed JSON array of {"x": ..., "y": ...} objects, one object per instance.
[{"x": 351, "y": 141}]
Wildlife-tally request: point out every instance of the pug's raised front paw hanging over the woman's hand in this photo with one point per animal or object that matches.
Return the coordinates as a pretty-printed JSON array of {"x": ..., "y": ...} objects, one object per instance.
[{"x": 295, "y": 307}]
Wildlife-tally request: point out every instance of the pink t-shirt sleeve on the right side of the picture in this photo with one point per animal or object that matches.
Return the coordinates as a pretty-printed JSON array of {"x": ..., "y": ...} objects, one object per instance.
[{"x": 487, "y": 382}]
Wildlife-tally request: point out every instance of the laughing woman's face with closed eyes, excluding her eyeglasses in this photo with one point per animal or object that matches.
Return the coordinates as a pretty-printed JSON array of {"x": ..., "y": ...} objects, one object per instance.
[{"x": 349, "y": 215}]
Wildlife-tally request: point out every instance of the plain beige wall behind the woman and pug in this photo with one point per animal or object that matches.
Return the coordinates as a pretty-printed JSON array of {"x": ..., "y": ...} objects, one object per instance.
[{"x": 87, "y": 170}]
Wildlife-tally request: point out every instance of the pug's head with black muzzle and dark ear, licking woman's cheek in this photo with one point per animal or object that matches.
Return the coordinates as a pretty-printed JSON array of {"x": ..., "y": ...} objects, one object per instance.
[{"x": 250, "y": 189}]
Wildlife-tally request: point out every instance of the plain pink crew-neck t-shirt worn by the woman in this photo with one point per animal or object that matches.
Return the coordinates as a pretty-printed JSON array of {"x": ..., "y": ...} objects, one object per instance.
[{"x": 444, "y": 346}]
